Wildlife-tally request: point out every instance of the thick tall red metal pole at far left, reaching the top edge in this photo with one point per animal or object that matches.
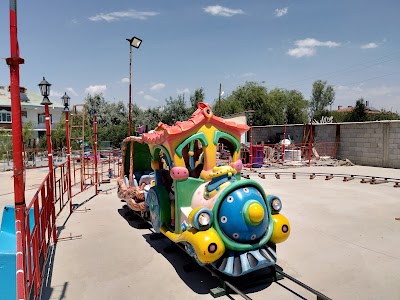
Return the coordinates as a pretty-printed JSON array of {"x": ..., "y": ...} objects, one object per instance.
[{"x": 19, "y": 187}]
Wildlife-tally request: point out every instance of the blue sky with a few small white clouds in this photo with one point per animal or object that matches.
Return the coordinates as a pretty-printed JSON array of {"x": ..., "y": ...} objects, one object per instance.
[{"x": 80, "y": 47}]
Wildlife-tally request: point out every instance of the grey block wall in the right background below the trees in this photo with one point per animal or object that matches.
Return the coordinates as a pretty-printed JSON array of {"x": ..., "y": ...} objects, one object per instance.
[{"x": 365, "y": 143}]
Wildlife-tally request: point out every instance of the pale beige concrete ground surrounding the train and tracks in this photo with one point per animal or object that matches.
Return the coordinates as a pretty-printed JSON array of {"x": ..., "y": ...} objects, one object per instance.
[{"x": 344, "y": 242}]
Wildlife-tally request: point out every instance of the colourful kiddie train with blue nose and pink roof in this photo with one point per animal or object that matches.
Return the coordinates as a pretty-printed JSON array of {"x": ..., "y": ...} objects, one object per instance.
[{"x": 221, "y": 219}]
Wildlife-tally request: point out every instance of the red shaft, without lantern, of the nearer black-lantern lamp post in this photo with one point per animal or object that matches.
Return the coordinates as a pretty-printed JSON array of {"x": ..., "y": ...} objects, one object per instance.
[{"x": 51, "y": 170}]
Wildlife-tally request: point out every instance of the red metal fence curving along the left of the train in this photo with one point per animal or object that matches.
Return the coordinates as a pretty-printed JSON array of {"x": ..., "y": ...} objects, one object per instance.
[{"x": 47, "y": 203}]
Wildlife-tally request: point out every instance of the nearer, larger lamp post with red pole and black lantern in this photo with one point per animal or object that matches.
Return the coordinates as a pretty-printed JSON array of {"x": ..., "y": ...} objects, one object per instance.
[{"x": 44, "y": 87}]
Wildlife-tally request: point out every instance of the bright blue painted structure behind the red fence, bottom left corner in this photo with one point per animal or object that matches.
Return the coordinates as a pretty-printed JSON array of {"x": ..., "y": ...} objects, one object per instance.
[{"x": 8, "y": 252}]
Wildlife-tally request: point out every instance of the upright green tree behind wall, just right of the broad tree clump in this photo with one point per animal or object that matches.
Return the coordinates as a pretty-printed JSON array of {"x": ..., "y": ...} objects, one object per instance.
[{"x": 322, "y": 96}]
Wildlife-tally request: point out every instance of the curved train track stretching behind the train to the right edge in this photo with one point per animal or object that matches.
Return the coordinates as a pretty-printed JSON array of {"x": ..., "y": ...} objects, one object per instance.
[{"x": 328, "y": 176}]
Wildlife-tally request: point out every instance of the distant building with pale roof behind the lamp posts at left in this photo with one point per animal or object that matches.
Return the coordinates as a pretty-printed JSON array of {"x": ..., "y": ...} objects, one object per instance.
[{"x": 31, "y": 110}]
